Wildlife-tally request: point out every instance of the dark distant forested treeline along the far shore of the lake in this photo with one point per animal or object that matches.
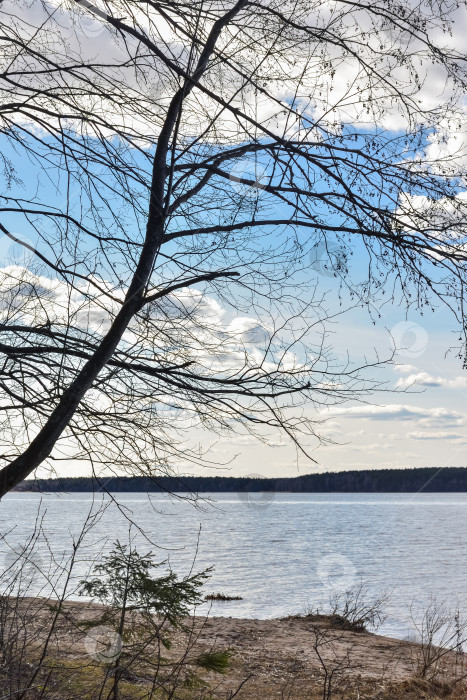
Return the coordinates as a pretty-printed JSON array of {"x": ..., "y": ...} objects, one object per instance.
[{"x": 447, "y": 479}]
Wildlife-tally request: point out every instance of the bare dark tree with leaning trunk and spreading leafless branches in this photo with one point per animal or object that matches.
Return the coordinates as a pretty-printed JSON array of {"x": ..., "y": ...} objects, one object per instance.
[{"x": 155, "y": 150}]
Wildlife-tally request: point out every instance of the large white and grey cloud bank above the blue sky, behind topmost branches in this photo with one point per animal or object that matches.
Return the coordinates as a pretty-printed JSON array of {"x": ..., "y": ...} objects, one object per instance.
[{"x": 338, "y": 87}]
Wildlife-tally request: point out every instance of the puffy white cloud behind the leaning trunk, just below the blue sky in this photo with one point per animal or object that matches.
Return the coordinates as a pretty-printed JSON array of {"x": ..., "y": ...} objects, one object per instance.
[{"x": 190, "y": 324}]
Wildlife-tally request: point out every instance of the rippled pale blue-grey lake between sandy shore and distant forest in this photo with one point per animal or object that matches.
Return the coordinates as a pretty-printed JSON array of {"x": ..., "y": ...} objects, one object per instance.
[{"x": 283, "y": 553}]
